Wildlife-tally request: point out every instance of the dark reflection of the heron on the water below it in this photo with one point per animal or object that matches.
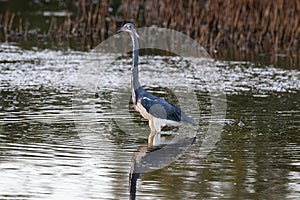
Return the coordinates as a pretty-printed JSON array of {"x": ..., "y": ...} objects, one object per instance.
[{"x": 149, "y": 158}]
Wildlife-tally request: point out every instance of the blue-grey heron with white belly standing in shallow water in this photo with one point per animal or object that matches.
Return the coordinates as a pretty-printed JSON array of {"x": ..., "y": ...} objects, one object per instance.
[{"x": 157, "y": 110}]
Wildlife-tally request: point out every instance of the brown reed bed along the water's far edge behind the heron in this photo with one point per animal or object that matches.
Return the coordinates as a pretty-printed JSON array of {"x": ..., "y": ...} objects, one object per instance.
[{"x": 273, "y": 25}]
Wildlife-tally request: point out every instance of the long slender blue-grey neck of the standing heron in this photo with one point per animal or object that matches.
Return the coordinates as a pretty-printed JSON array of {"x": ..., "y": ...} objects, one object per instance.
[{"x": 135, "y": 84}]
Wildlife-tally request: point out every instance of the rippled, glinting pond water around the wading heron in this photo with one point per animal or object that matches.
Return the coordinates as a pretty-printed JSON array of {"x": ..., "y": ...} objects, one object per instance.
[{"x": 48, "y": 152}]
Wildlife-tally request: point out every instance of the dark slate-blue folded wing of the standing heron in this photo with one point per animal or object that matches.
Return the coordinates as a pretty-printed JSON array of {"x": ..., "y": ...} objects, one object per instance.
[{"x": 162, "y": 109}]
